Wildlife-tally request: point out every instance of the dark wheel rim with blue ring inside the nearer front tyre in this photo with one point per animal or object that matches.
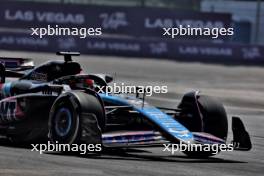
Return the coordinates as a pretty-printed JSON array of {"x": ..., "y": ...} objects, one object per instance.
[{"x": 63, "y": 122}]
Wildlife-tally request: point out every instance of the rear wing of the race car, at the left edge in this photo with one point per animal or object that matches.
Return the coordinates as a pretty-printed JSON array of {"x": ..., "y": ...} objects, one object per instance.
[{"x": 16, "y": 64}]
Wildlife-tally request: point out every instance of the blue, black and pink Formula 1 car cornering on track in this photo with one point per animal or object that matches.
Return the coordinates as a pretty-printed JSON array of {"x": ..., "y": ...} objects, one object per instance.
[{"x": 56, "y": 101}]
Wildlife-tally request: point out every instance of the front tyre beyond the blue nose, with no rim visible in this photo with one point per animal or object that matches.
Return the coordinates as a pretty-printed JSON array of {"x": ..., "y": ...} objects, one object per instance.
[{"x": 213, "y": 120}]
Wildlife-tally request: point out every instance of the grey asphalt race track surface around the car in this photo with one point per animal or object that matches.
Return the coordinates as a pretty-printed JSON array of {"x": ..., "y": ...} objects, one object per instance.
[{"x": 240, "y": 88}]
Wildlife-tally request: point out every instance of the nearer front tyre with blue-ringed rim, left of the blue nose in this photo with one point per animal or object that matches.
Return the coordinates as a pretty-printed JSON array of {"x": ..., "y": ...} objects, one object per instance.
[{"x": 68, "y": 117}]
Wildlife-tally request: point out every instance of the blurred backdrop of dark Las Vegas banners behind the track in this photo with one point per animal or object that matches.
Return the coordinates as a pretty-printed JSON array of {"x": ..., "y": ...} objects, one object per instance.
[{"x": 133, "y": 28}]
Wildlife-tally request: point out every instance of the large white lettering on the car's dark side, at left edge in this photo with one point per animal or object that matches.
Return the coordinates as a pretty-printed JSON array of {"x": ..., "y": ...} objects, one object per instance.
[{"x": 7, "y": 111}]
